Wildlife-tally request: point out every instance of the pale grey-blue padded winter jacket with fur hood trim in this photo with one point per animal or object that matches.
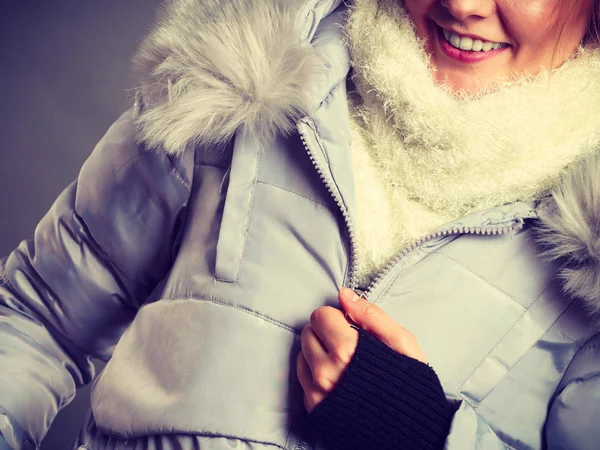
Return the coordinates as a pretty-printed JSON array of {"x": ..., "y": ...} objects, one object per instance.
[{"x": 217, "y": 214}]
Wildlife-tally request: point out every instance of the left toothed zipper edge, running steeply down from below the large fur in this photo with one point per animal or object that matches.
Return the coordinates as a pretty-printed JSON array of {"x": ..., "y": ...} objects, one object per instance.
[{"x": 329, "y": 184}]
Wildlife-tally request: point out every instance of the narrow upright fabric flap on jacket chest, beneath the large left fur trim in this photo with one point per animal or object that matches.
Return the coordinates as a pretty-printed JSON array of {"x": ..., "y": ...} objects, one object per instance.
[{"x": 241, "y": 185}]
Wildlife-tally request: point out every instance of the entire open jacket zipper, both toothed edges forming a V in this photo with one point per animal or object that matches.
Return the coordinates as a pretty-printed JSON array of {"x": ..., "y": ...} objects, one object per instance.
[{"x": 328, "y": 181}]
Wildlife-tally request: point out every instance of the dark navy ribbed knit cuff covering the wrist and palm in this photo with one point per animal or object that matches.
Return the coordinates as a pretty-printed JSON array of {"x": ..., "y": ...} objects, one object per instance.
[{"x": 384, "y": 400}]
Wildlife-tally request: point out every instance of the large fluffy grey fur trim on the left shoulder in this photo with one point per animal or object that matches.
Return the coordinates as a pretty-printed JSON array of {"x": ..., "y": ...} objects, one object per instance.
[{"x": 212, "y": 67}]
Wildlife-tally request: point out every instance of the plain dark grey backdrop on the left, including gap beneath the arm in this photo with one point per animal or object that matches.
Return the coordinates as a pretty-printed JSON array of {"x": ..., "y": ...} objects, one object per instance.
[{"x": 64, "y": 71}]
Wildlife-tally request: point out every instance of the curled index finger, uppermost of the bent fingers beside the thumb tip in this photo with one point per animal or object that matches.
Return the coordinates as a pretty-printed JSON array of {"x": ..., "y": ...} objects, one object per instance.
[{"x": 332, "y": 328}]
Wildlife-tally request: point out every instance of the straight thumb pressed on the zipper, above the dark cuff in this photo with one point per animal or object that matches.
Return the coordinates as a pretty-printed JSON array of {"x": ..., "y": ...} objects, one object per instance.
[{"x": 375, "y": 321}]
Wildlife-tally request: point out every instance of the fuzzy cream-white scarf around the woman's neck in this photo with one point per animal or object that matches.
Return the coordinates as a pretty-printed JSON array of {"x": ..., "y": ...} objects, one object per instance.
[{"x": 424, "y": 157}]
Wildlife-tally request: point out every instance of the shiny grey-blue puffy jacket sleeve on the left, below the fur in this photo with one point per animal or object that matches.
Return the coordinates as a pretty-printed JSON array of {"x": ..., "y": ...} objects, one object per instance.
[{"x": 69, "y": 293}]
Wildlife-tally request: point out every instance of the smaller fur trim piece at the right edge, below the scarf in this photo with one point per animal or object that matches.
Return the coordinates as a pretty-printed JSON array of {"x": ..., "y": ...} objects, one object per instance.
[{"x": 570, "y": 233}]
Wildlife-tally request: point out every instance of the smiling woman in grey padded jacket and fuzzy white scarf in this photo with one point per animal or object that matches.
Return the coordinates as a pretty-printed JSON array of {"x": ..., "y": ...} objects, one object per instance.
[{"x": 264, "y": 167}]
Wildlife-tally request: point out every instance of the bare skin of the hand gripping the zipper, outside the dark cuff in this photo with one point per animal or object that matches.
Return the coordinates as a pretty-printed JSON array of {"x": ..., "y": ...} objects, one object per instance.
[{"x": 329, "y": 342}]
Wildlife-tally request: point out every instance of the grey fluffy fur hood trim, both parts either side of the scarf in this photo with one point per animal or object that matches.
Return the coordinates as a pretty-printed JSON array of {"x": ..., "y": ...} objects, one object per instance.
[{"x": 210, "y": 68}]
